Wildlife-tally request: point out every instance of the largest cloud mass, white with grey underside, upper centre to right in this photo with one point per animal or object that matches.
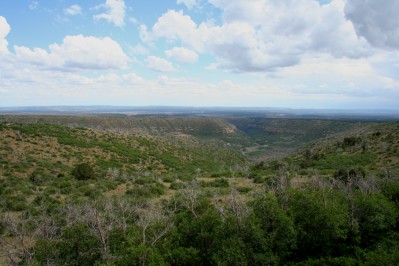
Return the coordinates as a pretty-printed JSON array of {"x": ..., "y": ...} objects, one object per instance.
[{"x": 263, "y": 35}]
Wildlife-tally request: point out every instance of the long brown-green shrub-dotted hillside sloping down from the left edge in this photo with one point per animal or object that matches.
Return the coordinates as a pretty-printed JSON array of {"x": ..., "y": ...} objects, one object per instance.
[{"x": 27, "y": 145}]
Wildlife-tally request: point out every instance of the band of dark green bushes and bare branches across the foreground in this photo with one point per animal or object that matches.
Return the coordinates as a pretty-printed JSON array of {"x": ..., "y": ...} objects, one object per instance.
[{"x": 326, "y": 223}]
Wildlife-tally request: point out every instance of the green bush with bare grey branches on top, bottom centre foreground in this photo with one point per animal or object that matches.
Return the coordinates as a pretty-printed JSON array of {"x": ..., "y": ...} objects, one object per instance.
[{"x": 194, "y": 238}]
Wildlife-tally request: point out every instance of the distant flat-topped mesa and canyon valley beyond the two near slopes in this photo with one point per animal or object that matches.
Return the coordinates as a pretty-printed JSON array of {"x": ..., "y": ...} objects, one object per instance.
[{"x": 257, "y": 138}]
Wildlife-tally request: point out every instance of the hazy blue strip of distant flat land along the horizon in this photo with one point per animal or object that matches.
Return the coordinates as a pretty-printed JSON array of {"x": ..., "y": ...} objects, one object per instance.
[{"x": 368, "y": 114}]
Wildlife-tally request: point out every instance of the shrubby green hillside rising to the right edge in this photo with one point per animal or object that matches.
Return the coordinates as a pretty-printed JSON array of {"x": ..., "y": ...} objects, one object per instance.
[{"x": 374, "y": 149}]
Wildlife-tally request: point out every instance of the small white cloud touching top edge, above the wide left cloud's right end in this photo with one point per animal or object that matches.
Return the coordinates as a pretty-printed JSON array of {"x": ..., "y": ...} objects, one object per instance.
[{"x": 115, "y": 12}]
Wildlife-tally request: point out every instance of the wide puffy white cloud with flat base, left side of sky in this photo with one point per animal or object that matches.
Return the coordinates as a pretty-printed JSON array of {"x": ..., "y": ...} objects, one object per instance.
[{"x": 76, "y": 52}]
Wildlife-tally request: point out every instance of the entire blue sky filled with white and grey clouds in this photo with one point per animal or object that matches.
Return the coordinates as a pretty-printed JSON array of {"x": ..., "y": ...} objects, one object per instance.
[{"x": 339, "y": 54}]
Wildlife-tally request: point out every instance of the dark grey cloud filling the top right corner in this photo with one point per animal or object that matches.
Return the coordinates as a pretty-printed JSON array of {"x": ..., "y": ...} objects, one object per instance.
[{"x": 375, "y": 20}]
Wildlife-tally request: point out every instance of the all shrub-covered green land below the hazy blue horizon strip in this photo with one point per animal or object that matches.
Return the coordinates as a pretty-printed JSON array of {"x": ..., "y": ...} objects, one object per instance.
[{"x": 79, "y": 193}]
